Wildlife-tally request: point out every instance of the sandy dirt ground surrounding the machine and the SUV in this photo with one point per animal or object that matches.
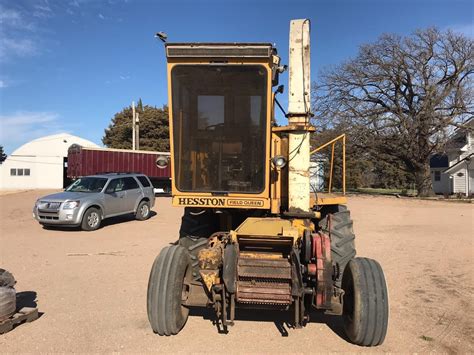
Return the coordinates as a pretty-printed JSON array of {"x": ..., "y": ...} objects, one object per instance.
[{"x": 91, "y": 287}]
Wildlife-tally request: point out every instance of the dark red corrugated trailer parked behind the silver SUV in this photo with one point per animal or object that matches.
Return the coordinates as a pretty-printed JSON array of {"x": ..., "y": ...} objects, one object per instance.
[{"x": 84, "y": 161}]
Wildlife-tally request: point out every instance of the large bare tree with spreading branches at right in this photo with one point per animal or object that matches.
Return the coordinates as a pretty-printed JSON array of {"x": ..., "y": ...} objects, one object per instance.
[{"x": 402, "y": 96}]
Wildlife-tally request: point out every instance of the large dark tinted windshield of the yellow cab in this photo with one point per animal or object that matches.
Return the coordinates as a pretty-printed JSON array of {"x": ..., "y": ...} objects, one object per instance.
[{"x": 219, "y": 127}]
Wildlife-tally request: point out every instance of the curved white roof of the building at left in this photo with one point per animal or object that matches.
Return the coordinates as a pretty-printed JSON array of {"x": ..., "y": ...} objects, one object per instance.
[{"x": 53, "y": 145}]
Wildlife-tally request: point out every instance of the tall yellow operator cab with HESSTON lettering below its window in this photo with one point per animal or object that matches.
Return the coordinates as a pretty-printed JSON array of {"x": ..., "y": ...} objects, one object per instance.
[{"x": 220, "y": 117}]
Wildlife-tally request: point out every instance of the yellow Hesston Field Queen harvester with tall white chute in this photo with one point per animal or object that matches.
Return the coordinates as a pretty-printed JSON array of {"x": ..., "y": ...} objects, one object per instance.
[{"x": 251, "y": 235}]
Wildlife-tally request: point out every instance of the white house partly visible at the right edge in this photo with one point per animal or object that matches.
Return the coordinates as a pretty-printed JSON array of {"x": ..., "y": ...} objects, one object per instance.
[{"x": 453, "y": 172}]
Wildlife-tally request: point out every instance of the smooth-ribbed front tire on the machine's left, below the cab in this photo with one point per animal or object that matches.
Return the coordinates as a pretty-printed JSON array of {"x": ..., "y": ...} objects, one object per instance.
[{"x": 166, "y": 314}]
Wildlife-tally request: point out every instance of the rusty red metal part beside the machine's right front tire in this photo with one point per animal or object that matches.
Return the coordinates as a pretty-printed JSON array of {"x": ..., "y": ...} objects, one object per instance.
[{"x": 322, "y": 254}]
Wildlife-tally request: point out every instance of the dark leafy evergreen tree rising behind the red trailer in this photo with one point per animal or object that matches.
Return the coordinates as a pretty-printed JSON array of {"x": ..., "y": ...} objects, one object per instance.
[{"x": 154, "y": 129}]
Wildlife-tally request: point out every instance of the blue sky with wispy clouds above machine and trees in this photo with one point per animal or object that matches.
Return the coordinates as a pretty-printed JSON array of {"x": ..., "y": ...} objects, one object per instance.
[{"x": 68, "y": 66}]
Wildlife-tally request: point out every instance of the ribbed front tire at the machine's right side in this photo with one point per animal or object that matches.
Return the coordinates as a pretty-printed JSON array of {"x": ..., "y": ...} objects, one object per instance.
[{"x": 365, "y": 313}]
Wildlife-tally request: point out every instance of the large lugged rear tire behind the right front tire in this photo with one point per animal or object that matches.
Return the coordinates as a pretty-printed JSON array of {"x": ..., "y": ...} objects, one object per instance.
[{"x": 340, "y": 228}]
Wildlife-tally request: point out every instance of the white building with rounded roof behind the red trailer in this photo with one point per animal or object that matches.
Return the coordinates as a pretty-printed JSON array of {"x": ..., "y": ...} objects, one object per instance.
[{"x": 39, "y": 164}]
